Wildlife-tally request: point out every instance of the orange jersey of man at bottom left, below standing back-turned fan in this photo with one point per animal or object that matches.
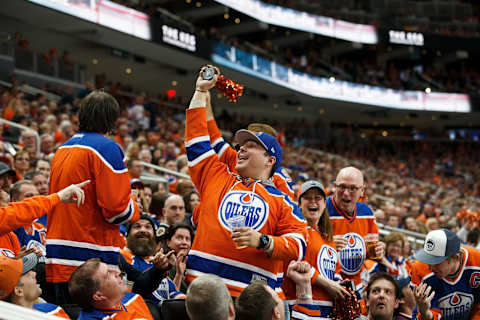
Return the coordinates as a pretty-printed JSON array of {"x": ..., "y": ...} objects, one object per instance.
[{"x": 132, "y": 307}]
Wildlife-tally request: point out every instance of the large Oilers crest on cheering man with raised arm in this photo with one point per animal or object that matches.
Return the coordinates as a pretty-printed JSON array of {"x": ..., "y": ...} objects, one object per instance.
[{"x": 243, "y": 203}]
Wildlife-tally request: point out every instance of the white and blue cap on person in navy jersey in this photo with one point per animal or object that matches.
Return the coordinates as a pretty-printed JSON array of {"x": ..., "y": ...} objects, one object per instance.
[{"x": 439, "y": 245}]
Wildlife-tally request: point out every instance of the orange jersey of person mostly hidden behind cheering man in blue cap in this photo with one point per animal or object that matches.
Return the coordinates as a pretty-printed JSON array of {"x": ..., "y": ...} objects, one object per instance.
[{"x": 228, "y": 155}]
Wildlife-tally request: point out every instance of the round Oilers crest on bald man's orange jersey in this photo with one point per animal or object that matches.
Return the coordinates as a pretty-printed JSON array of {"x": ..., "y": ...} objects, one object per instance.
[{"x": 353, "y": 254}]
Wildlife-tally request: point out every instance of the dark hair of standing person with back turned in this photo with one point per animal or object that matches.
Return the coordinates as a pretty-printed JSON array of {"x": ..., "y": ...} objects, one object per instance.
[{"x": 98, "y": 112}]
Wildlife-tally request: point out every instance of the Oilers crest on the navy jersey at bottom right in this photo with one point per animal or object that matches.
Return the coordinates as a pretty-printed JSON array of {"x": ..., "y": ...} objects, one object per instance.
[{"x": 456, "y": 305}]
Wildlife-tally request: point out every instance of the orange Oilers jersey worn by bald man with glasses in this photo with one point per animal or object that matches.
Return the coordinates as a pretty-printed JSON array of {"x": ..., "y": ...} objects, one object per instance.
[{"x": 354, "y": 229}]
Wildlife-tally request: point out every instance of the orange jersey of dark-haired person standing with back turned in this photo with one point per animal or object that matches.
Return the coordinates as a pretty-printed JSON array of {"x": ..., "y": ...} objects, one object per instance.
[{"x": 76, "y": 234}]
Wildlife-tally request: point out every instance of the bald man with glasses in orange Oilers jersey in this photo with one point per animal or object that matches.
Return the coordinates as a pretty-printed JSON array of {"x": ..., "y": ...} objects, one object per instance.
[{"x": 353, "y": 224}]
